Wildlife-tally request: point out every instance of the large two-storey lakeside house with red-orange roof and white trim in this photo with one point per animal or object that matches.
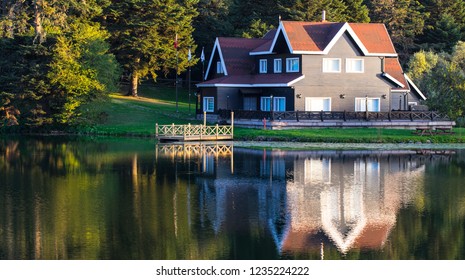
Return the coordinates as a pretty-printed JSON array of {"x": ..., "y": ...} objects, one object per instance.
[{"x": 308, "y": 66}]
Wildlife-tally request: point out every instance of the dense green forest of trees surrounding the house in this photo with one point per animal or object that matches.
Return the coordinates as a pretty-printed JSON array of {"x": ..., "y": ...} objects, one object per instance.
[{"x": 56, "y": 55}]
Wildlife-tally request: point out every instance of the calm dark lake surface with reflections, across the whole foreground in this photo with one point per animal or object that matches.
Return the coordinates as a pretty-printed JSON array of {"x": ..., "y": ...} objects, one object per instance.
[{"x": 133, "y": 199}]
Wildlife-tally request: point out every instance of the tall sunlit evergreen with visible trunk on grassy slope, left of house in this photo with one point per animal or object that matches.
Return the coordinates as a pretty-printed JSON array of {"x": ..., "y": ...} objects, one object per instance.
[{"x": 144, "y": 32}]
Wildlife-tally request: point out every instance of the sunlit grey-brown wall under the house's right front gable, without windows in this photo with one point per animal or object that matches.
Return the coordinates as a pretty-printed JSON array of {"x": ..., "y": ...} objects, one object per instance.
[{"x": 319, "y": 84}]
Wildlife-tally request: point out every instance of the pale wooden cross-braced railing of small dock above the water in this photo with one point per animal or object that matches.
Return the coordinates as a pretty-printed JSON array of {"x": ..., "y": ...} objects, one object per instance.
[{"x": 193, "y": 132}]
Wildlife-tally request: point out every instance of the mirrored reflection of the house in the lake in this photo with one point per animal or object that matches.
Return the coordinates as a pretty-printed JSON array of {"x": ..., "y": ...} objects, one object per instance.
[{"x": 304, "y": 199}]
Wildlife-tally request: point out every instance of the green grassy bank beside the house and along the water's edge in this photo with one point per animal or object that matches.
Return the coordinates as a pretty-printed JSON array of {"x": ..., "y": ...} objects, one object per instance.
[{"x": 125, "y": 115}]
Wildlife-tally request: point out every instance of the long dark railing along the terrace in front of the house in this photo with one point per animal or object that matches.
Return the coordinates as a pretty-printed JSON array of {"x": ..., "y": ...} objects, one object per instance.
[{"x": 336, "y": 115}]
